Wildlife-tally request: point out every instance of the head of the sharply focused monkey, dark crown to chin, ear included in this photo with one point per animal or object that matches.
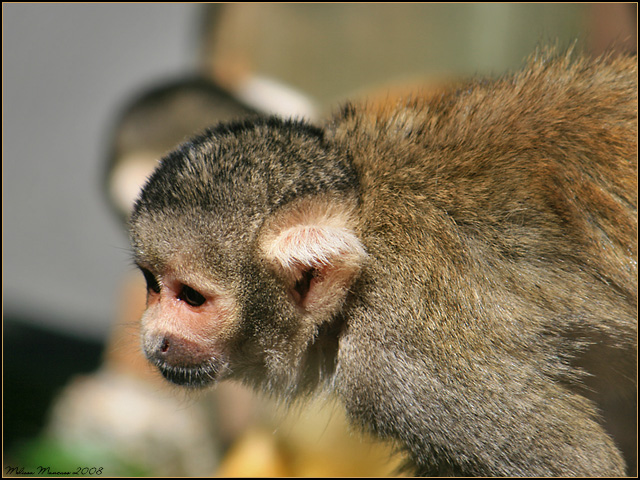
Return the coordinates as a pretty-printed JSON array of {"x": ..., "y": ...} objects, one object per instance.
[{"x": 247, "y": 239}]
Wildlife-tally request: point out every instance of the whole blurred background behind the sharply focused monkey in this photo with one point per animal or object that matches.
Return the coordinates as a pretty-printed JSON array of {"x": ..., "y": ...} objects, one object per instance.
[{"x": 93, "y": 94}]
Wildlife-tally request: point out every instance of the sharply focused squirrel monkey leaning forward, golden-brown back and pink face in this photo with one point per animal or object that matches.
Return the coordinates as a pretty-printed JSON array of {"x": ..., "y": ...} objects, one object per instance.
[{"x": 455, "y": 268}]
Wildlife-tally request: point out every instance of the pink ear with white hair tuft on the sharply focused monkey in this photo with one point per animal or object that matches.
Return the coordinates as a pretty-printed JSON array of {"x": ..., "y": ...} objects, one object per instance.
[{"x": 317, "y": 254}]
